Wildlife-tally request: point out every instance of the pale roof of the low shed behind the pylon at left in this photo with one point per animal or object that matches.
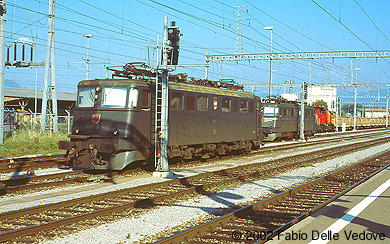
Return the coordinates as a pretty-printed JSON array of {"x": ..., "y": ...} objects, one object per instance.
[{"x": 30, "y": 93}]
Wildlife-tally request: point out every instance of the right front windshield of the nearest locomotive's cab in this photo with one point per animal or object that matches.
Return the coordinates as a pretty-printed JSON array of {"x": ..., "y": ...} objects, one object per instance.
[{"x": 115, "y": 97}]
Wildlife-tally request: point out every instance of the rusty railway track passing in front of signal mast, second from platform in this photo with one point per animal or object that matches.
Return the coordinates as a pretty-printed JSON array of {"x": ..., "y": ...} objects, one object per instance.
[{"x": 26, "y": 223}]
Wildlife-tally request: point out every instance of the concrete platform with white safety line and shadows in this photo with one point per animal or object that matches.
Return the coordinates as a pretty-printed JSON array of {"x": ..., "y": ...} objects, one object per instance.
[{"x": 360, "y": 216}]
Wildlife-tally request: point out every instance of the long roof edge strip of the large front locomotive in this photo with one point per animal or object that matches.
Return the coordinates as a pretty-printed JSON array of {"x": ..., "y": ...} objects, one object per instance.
[{"x": 172, "y": 85}]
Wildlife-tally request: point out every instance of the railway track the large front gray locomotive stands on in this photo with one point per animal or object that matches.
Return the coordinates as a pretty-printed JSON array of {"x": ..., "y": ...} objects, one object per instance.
[{"x": 31, "y": 182}]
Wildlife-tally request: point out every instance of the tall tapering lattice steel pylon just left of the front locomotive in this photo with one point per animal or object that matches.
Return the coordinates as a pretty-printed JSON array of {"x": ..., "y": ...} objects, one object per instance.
[{"x": 49, "y": 113}]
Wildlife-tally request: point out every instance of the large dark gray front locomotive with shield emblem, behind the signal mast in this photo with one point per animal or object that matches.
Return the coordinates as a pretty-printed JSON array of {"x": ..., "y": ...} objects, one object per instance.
[{"x": 113, "y": 121}]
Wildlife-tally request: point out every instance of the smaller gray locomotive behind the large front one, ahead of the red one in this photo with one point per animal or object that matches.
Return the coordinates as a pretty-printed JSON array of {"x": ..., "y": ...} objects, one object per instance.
[{"x": 281, "y": 119}]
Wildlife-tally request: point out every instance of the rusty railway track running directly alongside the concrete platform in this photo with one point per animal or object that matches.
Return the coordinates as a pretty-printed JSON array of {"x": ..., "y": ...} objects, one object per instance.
[{"x": 267, "y": 219}]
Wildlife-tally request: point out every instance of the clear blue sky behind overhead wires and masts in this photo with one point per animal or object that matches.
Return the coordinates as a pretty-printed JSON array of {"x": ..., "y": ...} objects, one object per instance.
[{"x": 123, "y": 29}]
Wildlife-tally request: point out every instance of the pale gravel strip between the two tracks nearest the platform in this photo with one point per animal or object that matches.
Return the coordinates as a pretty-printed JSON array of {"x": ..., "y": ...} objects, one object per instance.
[{"x": 164, "y": 218}]
